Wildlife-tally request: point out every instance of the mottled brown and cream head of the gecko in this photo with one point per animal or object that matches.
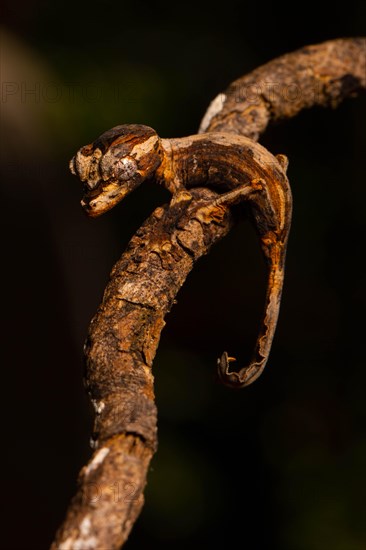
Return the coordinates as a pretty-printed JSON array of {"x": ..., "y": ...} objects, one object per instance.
[{"x": 115, "y": 164}]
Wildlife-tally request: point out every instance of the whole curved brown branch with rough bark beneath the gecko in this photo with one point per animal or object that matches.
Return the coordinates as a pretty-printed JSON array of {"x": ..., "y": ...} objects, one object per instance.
[{"x": 125, "y": 332}]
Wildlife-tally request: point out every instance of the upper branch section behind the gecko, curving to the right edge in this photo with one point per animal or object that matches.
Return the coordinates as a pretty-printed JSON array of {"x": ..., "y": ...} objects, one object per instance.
[{"x": 318, "y": 75}]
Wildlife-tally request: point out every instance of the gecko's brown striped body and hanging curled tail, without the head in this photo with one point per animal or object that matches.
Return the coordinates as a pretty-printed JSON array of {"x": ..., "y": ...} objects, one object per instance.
[{"x": 252, "y": 174}]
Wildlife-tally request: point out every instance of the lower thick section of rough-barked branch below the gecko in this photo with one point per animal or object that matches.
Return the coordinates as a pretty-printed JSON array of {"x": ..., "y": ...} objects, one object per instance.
[{"x": 122, "y": 342}]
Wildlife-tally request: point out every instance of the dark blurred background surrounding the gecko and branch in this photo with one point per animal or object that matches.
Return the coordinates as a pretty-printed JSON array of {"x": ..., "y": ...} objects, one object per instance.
[{"x": 280, "y": 464}]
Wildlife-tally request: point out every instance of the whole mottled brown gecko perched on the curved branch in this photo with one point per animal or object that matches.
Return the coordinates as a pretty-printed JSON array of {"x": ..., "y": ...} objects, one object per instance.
[{"x": 236, "y": 166}]
